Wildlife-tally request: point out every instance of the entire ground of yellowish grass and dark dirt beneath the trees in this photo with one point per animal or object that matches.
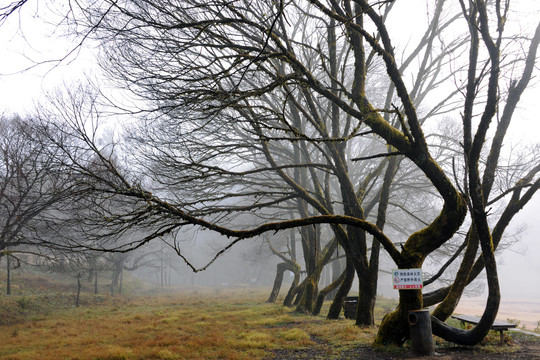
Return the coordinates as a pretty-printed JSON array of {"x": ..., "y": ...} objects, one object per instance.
[{"x": 39, "y": 321}]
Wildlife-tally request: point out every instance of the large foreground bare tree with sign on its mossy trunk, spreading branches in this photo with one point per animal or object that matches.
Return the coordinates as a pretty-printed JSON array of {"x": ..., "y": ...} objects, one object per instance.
[{"x": 231, "y": 79}]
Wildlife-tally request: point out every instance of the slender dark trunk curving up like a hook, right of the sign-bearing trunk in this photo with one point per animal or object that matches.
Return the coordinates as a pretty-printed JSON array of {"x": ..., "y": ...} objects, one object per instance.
[{"x": 479, "y": 191}]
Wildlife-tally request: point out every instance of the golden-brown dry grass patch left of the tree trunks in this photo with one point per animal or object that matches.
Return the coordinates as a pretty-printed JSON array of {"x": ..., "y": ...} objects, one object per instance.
[{"x": 236, "y": 325}]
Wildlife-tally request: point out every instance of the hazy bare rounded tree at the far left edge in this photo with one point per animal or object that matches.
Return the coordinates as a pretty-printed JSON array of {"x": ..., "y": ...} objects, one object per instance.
[{"x": 31, "y": 187}]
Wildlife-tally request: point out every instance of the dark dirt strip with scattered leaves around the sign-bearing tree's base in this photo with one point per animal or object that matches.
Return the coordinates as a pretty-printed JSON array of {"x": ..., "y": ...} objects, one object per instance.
[{"x": 522, "y": 349}]
